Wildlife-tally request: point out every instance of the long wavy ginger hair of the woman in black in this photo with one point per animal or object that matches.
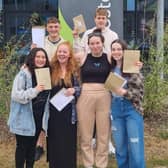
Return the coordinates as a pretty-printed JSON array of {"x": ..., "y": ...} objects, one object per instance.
[{"x": 72, "y": 67}]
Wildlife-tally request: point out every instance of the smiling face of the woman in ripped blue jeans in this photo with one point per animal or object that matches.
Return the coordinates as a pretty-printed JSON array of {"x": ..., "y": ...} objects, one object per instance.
[{"x": 117, "y": 51}]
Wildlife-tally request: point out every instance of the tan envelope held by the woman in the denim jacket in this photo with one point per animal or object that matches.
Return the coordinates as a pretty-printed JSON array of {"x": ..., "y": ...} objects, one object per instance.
[{"x": 43, "y": 77}]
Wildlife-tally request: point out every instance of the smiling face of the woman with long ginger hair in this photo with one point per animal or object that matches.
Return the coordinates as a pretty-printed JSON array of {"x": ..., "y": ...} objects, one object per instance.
[{"x": 63, "y": 54}]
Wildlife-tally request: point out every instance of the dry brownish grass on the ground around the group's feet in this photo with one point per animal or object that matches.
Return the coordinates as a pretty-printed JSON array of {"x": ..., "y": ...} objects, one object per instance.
[{"x": 156, "y": 149}]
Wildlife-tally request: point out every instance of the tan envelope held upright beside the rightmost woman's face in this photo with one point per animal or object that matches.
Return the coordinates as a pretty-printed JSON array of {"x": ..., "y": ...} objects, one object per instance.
[{"x": 130, "y": 59}]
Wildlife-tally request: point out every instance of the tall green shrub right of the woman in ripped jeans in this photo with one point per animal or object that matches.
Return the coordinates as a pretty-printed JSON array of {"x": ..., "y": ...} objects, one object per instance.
[{"x": 156, "y": 79}]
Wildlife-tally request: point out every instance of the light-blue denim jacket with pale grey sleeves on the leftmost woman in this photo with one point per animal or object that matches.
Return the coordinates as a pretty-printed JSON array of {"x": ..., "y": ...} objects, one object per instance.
[{"x": 21, "y": 119}]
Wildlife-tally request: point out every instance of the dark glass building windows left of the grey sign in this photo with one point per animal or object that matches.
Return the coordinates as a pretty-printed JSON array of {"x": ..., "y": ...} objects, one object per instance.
[{"x": 18, "y": 12}]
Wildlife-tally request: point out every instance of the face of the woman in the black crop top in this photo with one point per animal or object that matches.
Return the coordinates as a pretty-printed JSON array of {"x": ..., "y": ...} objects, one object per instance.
[{"x": 95, "y": 45}]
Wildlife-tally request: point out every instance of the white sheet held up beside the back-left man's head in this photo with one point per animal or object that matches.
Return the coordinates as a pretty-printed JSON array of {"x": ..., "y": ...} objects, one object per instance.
[{"x": 38, "y": 35}]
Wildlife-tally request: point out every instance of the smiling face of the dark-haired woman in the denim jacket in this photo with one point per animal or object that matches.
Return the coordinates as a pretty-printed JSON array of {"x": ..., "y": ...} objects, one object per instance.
[{"x": 40, "y": 59}]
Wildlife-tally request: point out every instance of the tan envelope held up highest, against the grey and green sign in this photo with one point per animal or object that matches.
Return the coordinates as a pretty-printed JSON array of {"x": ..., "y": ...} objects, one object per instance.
[{"x": 79, "y": 24}]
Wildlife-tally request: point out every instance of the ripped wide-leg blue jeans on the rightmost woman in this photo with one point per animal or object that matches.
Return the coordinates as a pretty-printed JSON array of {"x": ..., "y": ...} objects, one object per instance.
[{"x": 128, "y": 134}]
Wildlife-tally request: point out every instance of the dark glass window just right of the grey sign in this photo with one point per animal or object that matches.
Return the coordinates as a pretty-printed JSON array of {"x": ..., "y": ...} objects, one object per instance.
[{"x": 136, "y": 22}]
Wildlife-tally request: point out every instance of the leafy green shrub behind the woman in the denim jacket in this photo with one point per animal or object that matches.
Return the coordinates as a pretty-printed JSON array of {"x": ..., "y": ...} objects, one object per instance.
[{"x": 12, "y": 56}]
